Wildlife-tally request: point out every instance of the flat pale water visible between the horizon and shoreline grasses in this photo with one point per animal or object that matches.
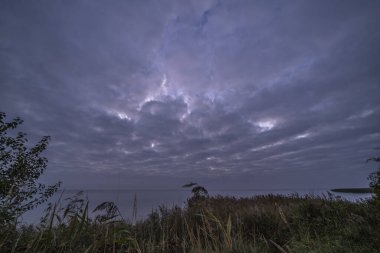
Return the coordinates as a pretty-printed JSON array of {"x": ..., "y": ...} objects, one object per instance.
[{"x": 148, "y": 200}]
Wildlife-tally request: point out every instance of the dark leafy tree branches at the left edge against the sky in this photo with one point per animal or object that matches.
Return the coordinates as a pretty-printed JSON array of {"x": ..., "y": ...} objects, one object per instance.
[{"x": 20, "y": 169}]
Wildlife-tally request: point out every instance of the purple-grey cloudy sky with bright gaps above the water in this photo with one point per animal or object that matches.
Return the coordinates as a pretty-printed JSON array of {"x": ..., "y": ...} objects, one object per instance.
[{"x": 229, "y": 94}]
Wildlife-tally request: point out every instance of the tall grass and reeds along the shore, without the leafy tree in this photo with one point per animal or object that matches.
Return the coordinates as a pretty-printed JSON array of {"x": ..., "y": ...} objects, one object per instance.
[{"x": 270, "y": 223}]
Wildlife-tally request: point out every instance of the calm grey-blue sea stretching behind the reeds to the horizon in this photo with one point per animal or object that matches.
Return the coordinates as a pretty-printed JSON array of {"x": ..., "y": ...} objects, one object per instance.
[{"x": 138, "y": 204}]
